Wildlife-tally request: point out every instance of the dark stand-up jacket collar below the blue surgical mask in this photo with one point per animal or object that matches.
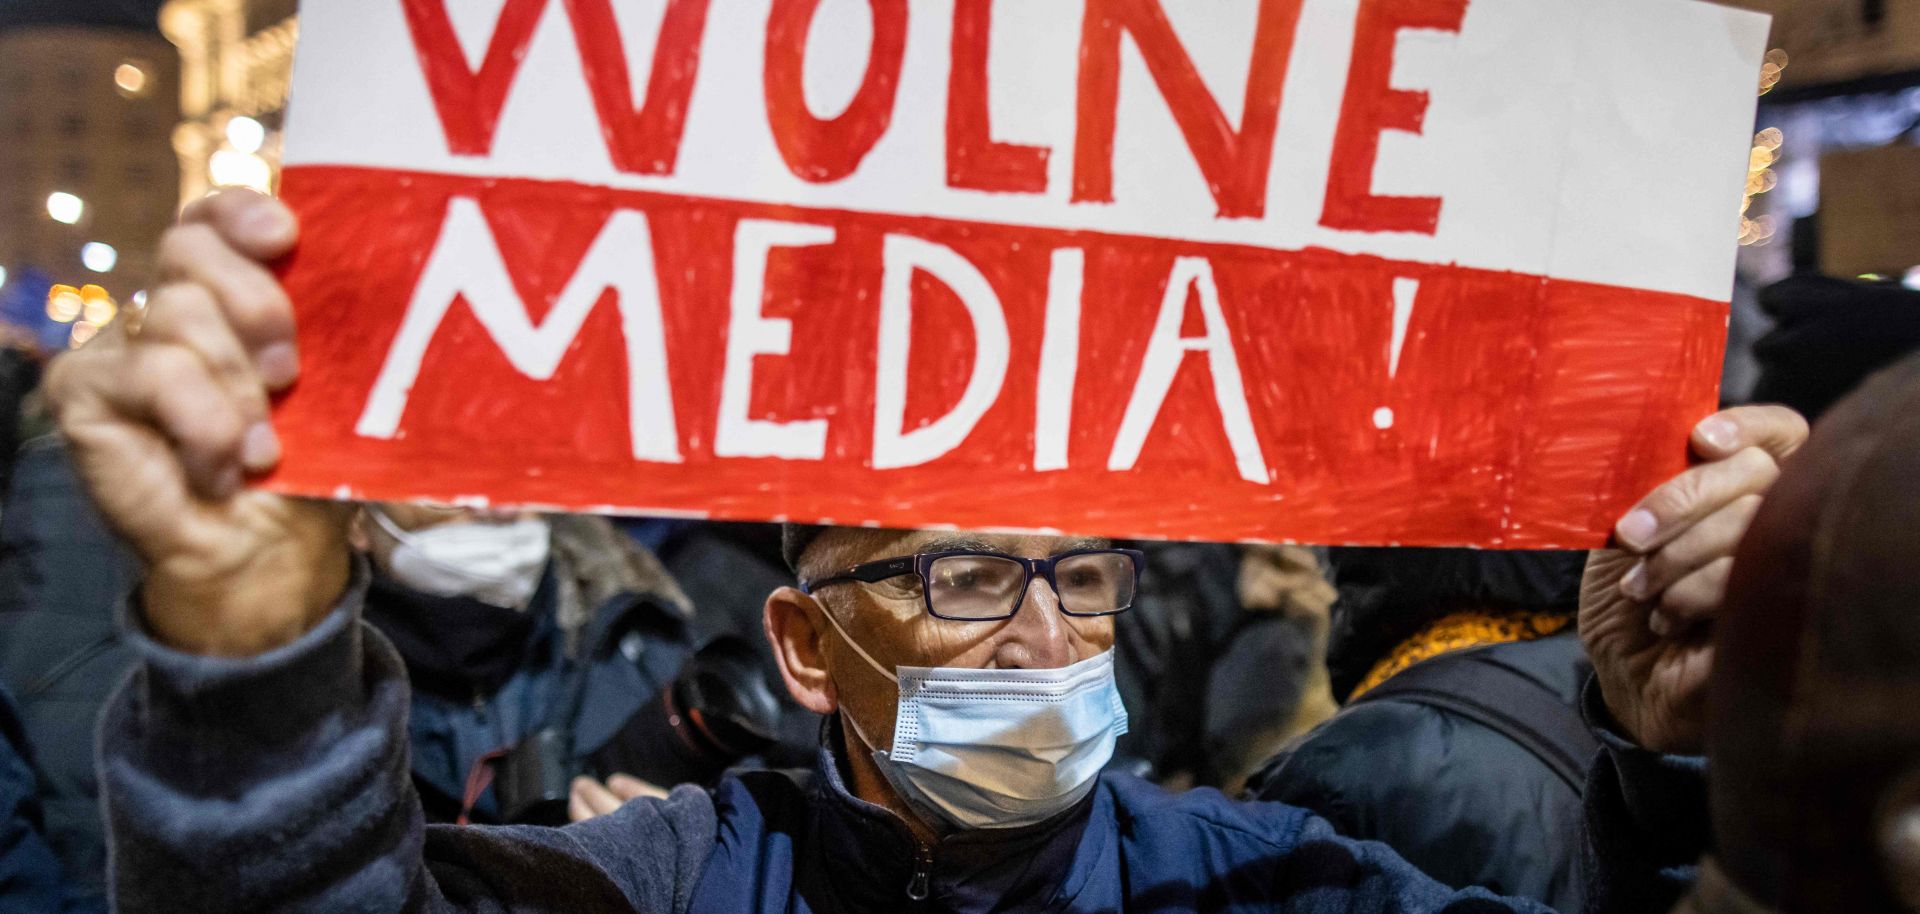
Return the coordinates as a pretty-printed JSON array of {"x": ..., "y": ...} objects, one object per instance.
[{"x": 867, "y": 857}]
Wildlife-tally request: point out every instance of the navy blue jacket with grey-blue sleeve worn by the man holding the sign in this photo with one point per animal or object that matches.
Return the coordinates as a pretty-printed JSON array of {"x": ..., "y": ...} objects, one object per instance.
[{"x": 279, "y": 782}]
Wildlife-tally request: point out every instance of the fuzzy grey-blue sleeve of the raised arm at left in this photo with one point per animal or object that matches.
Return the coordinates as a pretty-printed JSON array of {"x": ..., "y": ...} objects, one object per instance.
[{"x": 281, "y": 784}]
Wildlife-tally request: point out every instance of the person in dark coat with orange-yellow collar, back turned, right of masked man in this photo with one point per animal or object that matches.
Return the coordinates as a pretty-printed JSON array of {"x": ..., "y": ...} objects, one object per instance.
[{"x": 1462, "y": 742}]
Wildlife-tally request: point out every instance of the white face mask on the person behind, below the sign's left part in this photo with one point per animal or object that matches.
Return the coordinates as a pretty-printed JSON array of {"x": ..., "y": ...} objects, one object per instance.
[{"x": 496, "y": 564}]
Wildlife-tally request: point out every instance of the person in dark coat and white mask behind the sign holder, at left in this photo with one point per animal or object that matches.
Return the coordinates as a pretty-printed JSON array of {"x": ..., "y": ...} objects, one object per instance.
[{"x": 531, "y": 642}]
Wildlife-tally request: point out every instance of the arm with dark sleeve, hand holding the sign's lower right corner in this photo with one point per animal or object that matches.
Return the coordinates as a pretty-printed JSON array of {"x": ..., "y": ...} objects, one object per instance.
[{"x": 1646, "y": 619}]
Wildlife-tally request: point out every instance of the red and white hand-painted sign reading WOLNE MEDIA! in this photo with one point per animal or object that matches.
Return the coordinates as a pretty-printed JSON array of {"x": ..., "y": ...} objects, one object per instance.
[{"x": 1387, "y": 272}]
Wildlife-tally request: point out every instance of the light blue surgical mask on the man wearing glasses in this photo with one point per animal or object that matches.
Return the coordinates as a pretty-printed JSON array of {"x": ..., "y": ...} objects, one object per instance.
[{"x": 997, "y": 748}]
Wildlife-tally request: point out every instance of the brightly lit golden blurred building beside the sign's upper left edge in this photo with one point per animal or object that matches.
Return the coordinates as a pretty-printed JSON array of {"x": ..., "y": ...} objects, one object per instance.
[{"x": 237, "y": 60}]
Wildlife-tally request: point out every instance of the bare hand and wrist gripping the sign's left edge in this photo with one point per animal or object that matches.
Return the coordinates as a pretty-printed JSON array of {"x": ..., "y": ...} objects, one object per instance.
[{"x": 168, "y": 421}]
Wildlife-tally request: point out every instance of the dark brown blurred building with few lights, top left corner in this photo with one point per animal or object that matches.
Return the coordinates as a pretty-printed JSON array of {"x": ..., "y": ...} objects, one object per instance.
[{"x": 89, "y": 174}]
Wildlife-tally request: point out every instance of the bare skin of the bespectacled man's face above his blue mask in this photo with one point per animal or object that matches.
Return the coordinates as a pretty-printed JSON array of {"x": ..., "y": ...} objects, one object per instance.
[{"x": 892, "y": 623}]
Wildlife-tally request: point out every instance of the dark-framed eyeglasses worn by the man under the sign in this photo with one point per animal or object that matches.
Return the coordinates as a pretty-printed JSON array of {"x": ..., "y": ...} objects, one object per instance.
[{"x": 974, "y": 587}]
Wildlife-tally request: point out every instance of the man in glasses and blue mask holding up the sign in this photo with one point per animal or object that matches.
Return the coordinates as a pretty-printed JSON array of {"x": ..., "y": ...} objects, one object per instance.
[{"x": 258, "y": 758}]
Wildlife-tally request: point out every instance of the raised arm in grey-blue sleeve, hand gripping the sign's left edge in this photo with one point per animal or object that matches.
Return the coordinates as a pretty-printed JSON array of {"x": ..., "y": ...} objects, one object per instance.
[{"x": 256, "y": 759}]
